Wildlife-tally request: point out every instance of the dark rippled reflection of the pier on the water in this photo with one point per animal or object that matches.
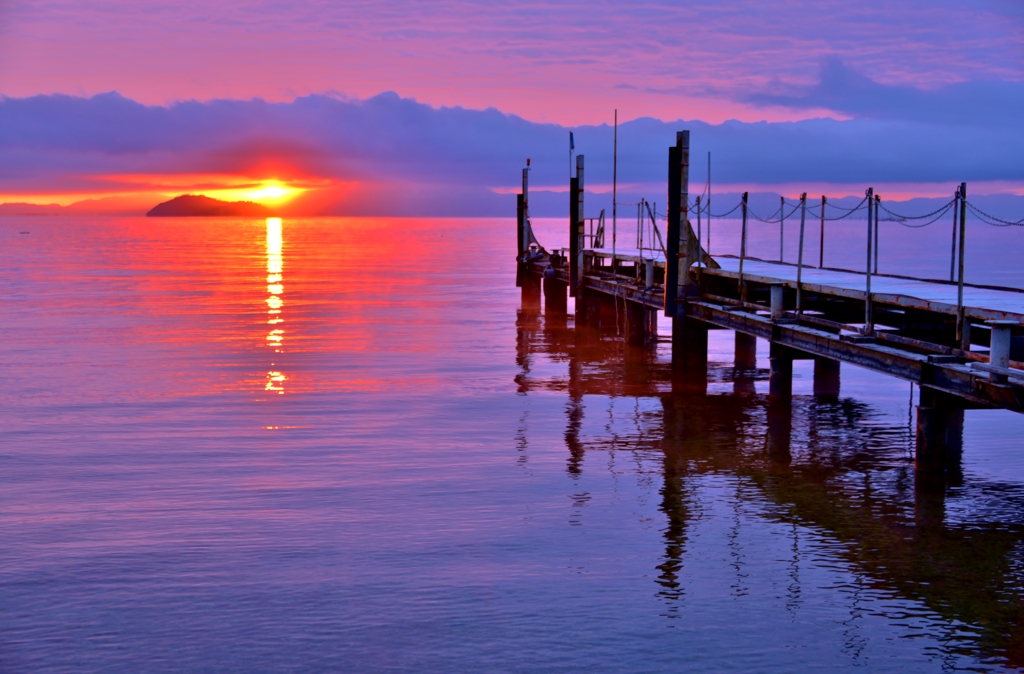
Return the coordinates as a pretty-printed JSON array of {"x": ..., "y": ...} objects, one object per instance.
[{"x": 830, "y": 474}]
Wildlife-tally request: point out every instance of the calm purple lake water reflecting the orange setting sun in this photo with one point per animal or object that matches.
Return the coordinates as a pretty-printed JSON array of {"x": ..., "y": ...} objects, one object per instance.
[{"x": 340, "y": 446}]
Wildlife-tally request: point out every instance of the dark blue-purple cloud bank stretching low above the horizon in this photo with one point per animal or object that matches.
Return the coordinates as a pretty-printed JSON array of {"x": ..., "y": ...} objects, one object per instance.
[{"x": 412, "y": 159}]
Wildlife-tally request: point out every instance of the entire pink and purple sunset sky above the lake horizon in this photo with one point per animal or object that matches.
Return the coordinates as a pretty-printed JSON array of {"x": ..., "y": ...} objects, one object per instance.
[{"x": 338, "y": 107}]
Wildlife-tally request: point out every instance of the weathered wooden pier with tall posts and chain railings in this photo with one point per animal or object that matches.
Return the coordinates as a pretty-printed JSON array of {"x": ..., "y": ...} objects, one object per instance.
[{"x": 963, "y": 346}]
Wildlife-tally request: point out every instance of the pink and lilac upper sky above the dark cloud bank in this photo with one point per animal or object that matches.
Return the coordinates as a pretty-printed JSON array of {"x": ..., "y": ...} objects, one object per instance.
[{"x": 571, "y": 63}]
